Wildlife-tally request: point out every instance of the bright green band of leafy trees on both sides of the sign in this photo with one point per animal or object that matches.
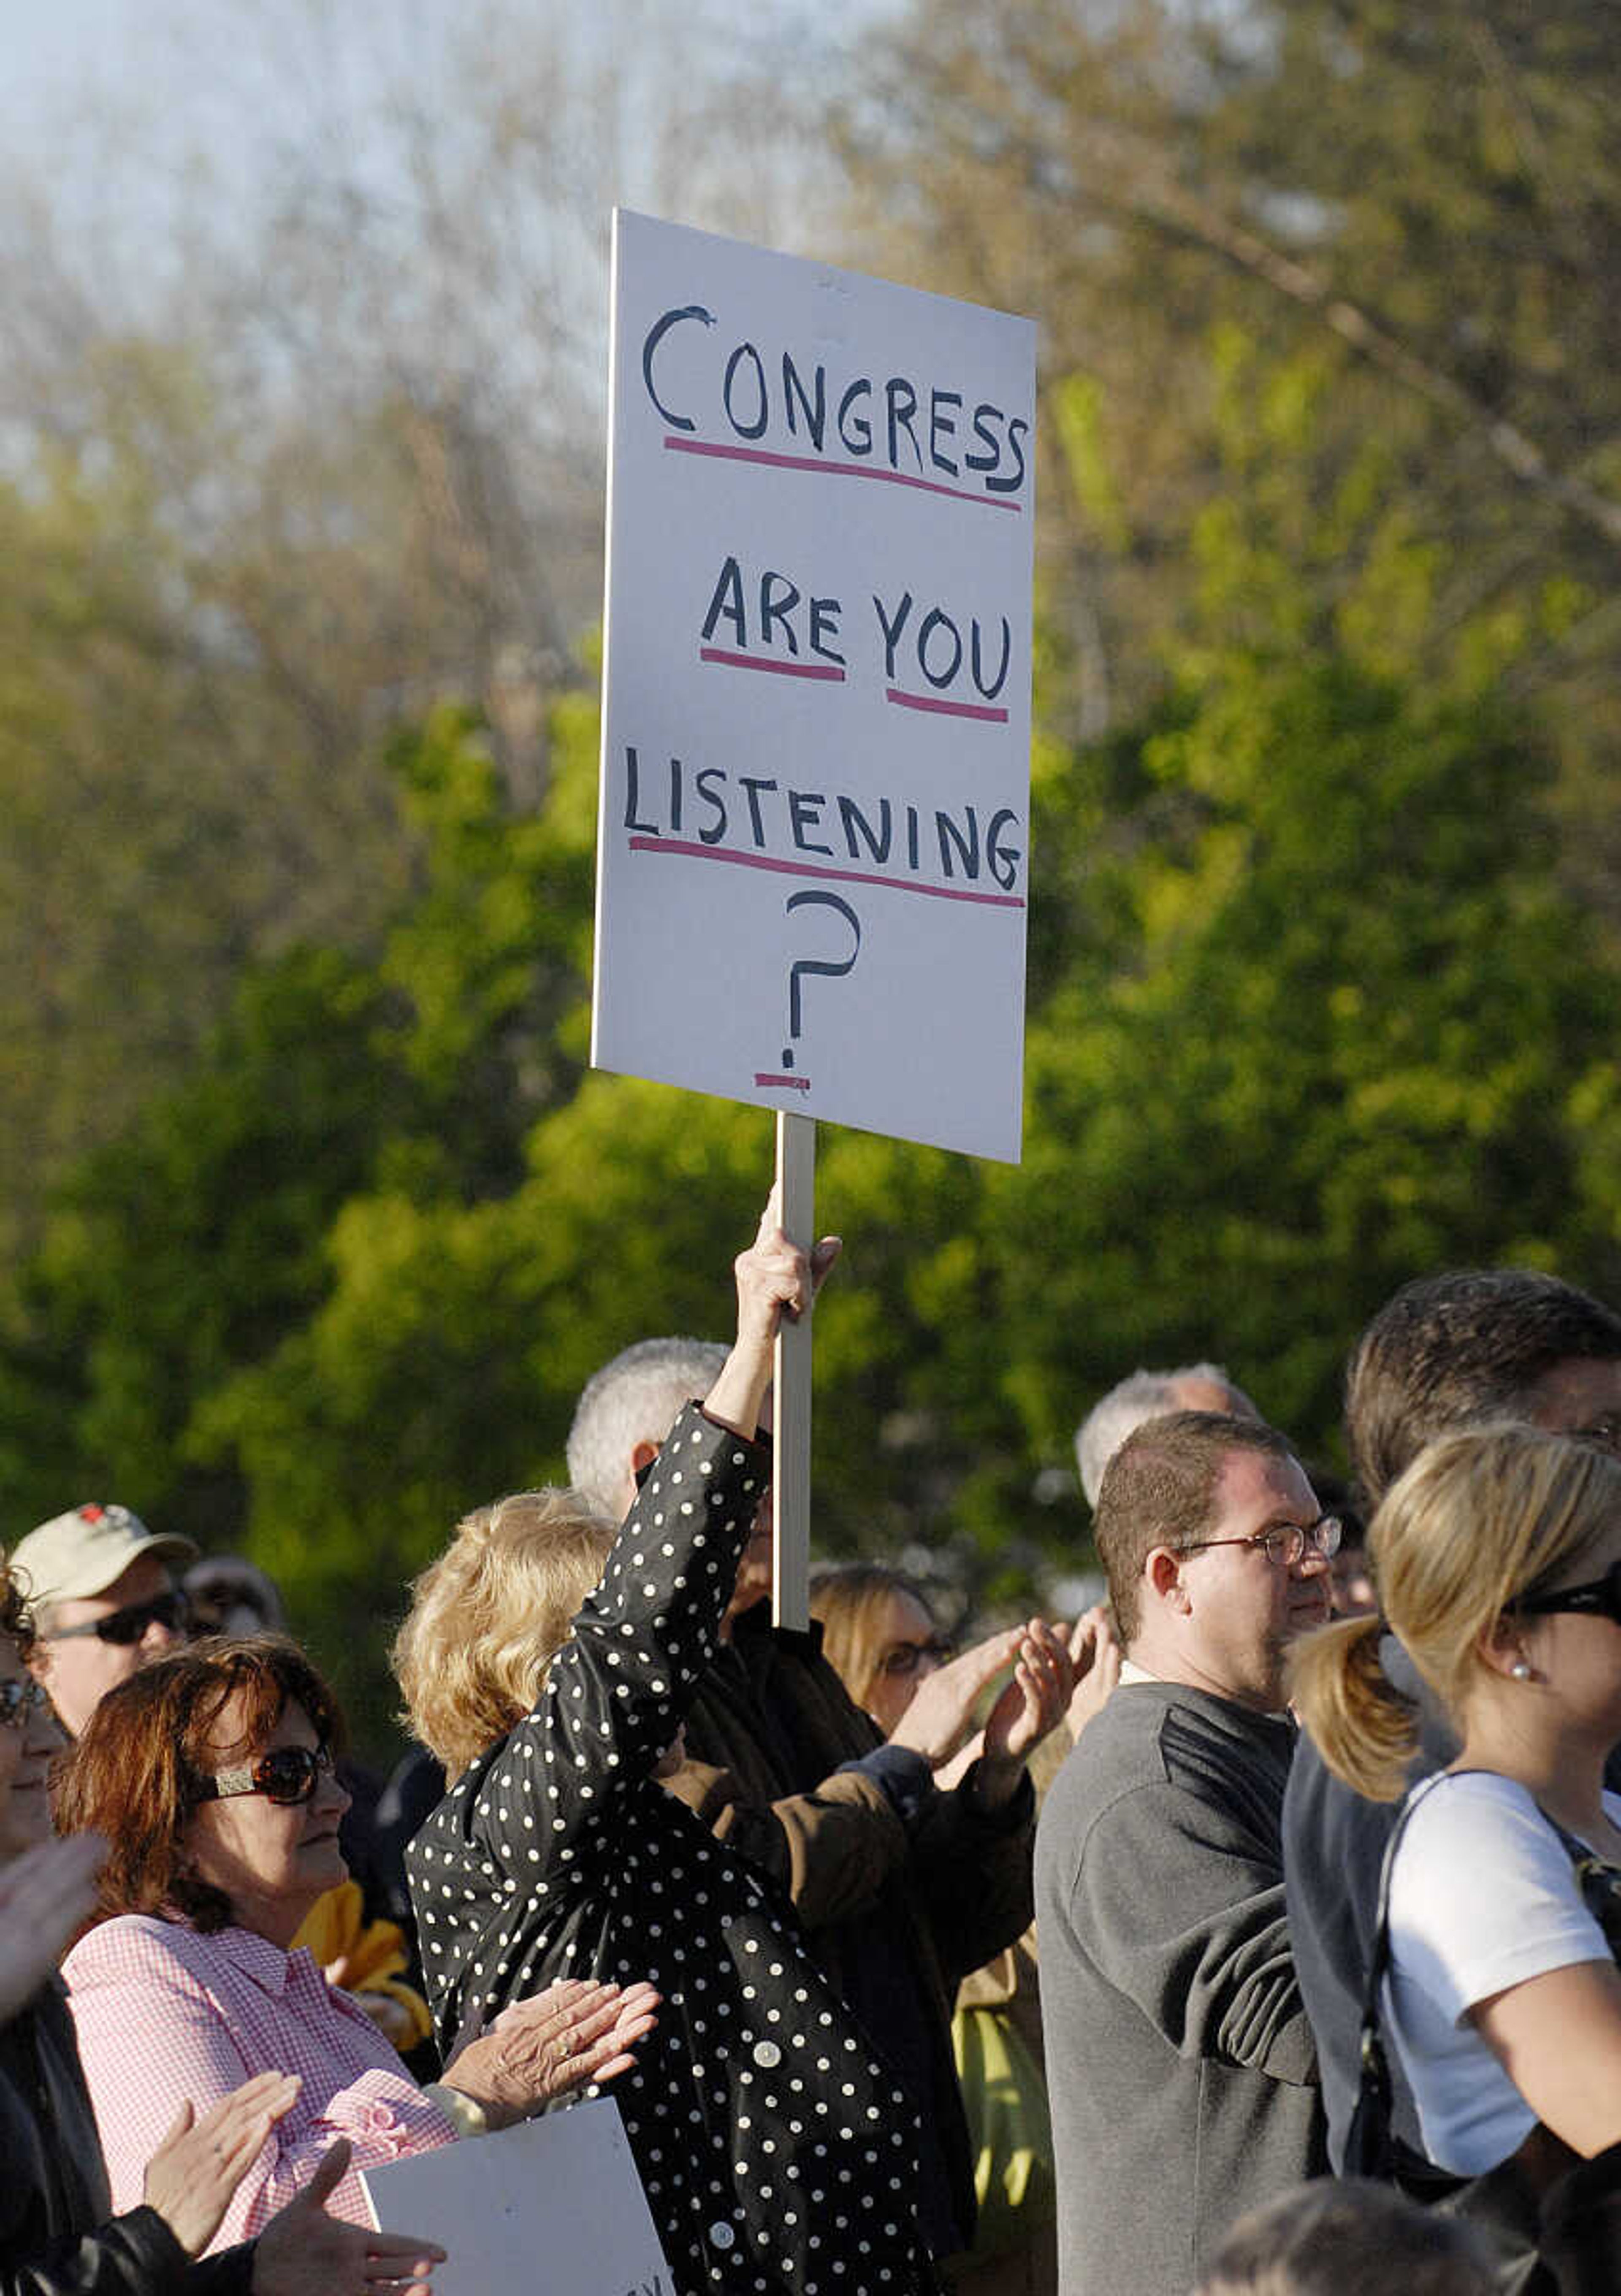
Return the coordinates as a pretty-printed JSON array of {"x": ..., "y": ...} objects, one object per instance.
[{"x": 1308, "y": 1016}]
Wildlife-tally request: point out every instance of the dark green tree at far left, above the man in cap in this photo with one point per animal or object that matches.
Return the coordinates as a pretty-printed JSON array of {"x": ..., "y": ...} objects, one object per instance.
[{"x": 194, "y": 1243}]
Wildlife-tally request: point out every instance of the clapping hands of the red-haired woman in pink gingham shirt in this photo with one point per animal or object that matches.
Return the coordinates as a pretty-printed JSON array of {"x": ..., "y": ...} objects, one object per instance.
[{"x": 550, "y": 2045}]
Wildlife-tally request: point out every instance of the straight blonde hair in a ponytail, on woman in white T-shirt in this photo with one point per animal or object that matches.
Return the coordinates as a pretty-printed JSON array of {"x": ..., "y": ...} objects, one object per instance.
[{"x": 1468, "y": 1528}]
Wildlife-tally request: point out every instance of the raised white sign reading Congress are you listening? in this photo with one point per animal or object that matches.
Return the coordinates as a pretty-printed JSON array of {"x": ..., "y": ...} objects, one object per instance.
[{"x": 812, "y": 862}]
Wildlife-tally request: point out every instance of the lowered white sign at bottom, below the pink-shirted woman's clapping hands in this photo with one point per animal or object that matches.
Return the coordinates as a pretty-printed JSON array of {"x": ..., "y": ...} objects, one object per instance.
[{"x": 552, "y": 2205}]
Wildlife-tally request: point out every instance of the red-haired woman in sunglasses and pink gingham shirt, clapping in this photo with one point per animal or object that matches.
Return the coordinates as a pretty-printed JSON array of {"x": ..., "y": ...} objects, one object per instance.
[{"x": 212, "y": 1778}]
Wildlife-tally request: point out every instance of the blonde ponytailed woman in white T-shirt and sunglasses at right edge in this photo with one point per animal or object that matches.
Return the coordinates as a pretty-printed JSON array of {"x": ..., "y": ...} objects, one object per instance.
[{"x": 1498, "y": 1558}]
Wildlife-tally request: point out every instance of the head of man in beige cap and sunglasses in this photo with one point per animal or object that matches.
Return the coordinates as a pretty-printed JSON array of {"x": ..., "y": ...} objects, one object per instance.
[{"x": 104, "y": 1595}]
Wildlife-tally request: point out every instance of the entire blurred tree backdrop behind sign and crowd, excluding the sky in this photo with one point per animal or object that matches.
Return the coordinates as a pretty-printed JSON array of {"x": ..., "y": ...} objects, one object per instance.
[{"x": 1326, "y": 922}]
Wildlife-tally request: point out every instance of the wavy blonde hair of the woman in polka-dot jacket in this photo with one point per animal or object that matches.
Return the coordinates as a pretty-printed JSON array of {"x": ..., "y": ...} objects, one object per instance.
[{"x": 490, "y": 1615}]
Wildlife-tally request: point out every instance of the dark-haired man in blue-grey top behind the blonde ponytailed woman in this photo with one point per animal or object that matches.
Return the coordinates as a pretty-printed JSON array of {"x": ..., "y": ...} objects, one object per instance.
[{"x": 1445, "y": 1351}]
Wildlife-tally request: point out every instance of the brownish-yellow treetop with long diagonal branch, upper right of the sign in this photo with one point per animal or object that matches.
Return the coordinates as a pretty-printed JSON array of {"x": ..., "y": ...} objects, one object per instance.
[{"x": 1422, "y": 208}]
